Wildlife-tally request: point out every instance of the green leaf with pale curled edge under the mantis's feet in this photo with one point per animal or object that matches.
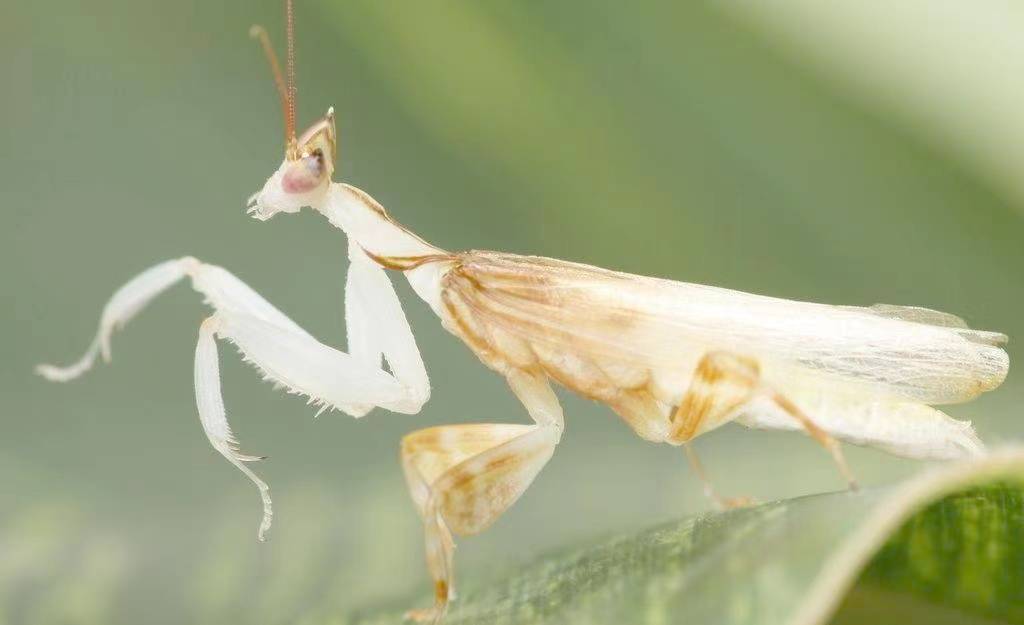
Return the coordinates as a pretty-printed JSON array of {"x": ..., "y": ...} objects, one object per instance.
[{"x": 948, "y": 546}]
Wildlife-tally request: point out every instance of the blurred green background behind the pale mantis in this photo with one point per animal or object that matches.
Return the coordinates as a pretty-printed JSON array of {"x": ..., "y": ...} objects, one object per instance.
[{"x": 696, "y": 142}]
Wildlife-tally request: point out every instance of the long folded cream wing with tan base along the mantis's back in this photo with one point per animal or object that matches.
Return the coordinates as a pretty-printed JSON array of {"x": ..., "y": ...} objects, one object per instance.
[{"x": 631, "y": 321}]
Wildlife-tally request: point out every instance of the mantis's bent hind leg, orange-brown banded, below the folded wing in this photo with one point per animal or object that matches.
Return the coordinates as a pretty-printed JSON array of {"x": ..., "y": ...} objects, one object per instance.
[{"x": 723, "y": 385}]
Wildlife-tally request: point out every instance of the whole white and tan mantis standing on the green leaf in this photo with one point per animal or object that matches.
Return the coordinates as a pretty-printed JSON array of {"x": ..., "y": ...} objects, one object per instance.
[{"x": 673, "y": 360}]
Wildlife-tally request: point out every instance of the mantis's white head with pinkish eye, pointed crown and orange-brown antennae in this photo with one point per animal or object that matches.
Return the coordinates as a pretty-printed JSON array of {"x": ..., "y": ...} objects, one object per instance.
[{"x": 306, "y": 174}]
